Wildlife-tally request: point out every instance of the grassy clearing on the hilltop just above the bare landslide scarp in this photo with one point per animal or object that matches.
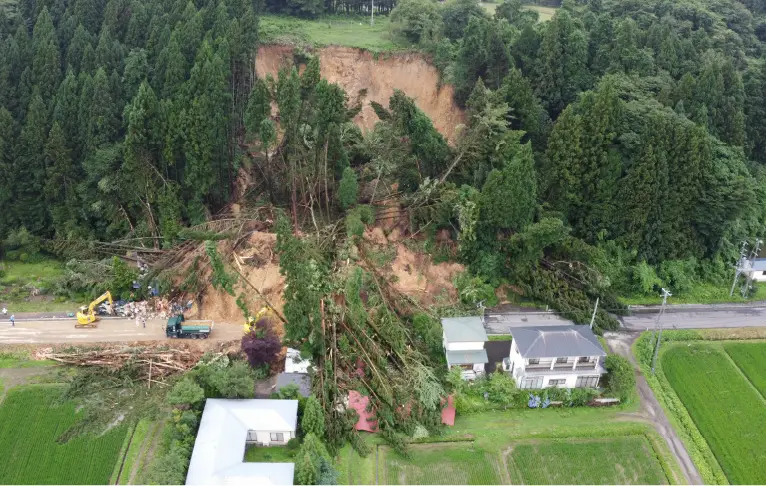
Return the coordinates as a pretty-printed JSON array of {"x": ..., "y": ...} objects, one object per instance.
[{"x": 328, "y": 31}]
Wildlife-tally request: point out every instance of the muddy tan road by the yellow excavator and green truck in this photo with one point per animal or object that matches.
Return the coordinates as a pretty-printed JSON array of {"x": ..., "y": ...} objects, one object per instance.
[{"x": 108, "y": 330}]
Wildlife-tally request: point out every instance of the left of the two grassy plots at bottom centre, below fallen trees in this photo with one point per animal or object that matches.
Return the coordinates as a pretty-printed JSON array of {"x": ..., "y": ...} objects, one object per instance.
[{"x": 456, "y": 463}]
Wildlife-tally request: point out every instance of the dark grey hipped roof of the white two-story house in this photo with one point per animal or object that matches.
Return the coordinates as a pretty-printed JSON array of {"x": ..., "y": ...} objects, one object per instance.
[{"x": 556, "y": 341}]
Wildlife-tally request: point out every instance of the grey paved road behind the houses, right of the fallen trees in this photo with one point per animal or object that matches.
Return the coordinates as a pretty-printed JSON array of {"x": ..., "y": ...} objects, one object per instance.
[{"x": 675, "y": 317}]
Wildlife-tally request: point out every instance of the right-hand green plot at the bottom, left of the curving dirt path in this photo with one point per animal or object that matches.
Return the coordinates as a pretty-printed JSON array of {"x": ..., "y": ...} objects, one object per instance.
[{"x": 624, "y": 460}]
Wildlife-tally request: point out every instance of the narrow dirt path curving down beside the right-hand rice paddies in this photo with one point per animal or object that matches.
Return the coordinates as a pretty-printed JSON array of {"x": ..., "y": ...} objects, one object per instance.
[{"x": 650, "y": 409}]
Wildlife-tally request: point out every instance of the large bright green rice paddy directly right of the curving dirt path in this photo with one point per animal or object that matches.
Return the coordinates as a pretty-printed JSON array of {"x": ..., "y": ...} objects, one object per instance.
[{"x": 724, "y": 407}]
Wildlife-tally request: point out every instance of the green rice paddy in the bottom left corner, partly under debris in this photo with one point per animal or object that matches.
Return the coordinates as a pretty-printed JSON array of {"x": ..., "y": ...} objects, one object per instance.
[{"x": 31, "y": 421}]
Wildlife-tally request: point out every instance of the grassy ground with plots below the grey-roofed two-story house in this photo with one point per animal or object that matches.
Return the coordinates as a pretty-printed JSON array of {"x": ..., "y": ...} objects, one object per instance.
[{"x": 634, "y": 451}]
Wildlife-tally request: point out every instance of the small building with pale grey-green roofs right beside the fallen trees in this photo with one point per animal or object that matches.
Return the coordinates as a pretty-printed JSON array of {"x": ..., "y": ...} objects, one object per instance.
[{"x": 464, "y": 339}]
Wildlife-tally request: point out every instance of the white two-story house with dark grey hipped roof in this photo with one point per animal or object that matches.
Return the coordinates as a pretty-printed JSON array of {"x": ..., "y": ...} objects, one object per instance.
[{"x": 561, "y": 356}]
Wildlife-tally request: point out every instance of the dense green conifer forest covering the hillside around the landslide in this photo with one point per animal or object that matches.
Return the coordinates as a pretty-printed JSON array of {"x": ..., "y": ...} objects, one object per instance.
[{"x": 616, "y": 148}]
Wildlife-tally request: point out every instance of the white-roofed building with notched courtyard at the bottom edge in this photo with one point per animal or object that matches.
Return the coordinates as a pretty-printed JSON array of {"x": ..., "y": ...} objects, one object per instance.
[{"x": 227, "y": 426}]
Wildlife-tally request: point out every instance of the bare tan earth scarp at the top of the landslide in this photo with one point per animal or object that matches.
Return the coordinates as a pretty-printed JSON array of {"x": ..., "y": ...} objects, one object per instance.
[{"x": 374, "y": 79}]
